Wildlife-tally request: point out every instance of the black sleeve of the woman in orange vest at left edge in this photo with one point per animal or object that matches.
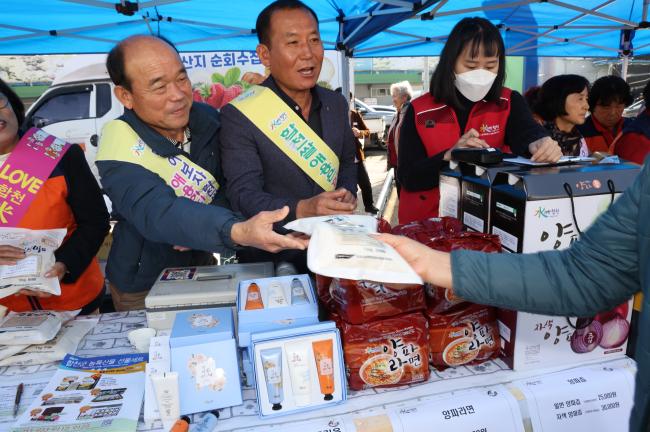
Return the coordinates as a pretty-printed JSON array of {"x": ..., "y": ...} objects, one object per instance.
[{"x": 91, "y": 217}]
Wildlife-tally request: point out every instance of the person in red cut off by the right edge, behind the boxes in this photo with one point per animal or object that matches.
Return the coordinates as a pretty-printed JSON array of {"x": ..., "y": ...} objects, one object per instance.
[{"x": 634, "y": 144}]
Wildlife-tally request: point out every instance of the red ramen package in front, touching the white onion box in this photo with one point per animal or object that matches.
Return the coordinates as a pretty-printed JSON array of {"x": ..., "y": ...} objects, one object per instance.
[{"x": 463, "y": 336}]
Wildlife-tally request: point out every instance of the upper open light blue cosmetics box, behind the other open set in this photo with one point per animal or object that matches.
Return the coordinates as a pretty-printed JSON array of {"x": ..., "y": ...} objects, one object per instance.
[{"x": 277, "y": 310}]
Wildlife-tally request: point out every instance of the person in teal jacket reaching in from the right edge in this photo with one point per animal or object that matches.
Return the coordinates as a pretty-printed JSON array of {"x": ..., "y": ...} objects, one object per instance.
[{"x": 609, "y": 264}]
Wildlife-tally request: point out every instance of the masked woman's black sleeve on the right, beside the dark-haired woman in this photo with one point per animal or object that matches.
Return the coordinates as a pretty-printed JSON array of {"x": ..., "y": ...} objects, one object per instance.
[{"x": 521, "y": 127}]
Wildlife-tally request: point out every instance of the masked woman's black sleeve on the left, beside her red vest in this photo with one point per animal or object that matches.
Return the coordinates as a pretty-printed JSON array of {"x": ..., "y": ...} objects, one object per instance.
[{"x": 416, "y": 171}]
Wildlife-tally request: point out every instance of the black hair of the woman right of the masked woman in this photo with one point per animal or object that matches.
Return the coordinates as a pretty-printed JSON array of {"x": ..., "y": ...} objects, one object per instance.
[{"x": 552, "y": 97}]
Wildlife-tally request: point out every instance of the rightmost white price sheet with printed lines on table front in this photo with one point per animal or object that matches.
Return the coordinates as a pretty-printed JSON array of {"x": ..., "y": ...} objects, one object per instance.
[{"x": 593, "y": 398}]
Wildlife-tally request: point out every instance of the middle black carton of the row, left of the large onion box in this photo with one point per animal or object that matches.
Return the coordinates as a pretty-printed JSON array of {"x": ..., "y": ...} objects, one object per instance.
[{"x": 476, "y": 187}]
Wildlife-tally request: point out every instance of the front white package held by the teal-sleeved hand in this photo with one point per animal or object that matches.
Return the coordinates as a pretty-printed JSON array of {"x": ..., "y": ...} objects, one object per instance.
[{"x": 352, "y": 253}]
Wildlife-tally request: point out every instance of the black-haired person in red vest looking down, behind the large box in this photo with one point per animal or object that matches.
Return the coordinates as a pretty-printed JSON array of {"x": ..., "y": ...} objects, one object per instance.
[{"x": 608, "y": 98}]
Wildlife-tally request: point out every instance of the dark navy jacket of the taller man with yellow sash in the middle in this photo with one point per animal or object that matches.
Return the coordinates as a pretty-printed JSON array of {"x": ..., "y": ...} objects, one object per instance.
[{"x": 261, "y": 177}]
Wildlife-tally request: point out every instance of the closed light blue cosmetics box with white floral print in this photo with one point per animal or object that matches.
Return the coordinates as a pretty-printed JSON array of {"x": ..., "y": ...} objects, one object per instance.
[{"x": 204, "y": 353}]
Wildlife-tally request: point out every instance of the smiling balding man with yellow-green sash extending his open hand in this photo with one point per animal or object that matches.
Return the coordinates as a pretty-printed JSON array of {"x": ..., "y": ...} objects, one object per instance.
[{"x": 159, "y": 164}]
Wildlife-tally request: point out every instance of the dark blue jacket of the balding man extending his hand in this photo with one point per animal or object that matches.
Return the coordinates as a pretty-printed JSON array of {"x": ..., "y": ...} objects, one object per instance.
[{"x": 152, "y": 219}]
